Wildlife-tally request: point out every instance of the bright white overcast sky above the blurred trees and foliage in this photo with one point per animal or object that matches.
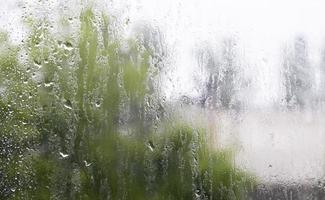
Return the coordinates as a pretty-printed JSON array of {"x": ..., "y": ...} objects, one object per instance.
[{"x": 260, "y": 26}]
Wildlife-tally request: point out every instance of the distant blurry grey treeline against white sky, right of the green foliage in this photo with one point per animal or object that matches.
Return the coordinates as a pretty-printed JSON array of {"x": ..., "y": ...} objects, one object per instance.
[{"x": 223, "y": 84}]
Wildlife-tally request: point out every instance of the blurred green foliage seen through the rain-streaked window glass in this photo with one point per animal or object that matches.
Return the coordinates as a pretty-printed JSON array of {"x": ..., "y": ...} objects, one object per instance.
[{"x": 75, "y": 124}]
